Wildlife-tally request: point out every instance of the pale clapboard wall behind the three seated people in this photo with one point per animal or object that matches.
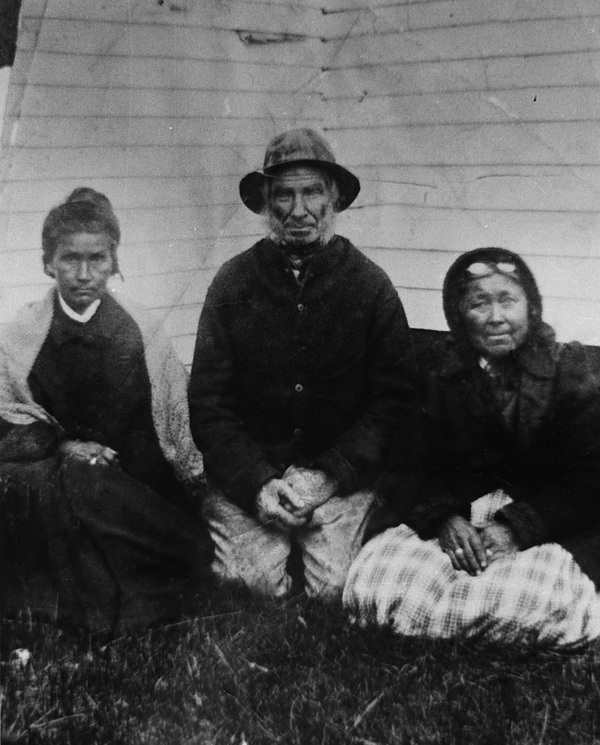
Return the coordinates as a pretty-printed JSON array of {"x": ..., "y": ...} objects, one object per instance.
[{"x": 469, "y": 122}]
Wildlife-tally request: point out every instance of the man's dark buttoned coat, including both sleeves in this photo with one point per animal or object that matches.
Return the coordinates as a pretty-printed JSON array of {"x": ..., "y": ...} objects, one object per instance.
[{"x": 311, "y": 373}]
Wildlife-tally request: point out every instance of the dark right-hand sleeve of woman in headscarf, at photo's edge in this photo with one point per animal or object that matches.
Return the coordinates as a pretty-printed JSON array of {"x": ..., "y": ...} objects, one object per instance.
[{"x": 562, "y": 495}]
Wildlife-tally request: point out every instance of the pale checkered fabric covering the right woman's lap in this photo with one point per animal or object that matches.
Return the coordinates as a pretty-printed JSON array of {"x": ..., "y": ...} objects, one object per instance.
[{"x": 538, "y": 596}]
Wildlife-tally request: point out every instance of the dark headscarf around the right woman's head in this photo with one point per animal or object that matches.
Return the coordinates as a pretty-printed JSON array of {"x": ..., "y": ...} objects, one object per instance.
[{"x": 459, "y": 277}]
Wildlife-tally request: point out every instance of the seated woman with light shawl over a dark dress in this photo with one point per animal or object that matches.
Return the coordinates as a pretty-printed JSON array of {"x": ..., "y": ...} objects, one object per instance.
[{"x": 98, "y": 471}]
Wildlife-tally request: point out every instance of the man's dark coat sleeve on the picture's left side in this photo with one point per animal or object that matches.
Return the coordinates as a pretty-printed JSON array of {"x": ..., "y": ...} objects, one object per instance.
[{"x": 231, "y": 457}]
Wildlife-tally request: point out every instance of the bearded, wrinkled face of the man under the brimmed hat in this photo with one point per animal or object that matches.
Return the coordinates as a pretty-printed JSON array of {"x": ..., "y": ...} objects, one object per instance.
[{"x": 300, "y": 206}]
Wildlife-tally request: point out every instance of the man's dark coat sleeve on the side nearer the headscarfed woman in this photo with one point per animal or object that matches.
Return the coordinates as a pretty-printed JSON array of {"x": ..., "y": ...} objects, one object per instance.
[{"x": 356, "y": 457}]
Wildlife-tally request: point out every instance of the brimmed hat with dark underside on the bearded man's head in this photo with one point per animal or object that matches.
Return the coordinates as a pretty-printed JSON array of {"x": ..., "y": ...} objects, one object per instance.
[{"x": 296, "y": 148}]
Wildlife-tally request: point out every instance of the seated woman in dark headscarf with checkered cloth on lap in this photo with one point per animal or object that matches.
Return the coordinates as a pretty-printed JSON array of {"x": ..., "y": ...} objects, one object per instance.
[{"x": 497, "y": 500}]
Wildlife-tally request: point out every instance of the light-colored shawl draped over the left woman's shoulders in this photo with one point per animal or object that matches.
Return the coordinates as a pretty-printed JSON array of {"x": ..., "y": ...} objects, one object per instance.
[{"x": 22, "y": 340}]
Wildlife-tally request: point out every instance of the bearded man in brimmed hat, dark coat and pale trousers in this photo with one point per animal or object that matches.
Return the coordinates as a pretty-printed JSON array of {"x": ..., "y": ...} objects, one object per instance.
[{"x": 302, "y": 365}]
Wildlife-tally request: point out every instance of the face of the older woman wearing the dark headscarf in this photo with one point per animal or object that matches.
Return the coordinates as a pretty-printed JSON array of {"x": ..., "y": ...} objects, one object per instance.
[{"x": 496, "y": 315}]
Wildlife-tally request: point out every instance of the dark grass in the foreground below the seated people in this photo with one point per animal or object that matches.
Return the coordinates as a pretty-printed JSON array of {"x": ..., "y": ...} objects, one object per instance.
[{"x": 245, "y": 672}]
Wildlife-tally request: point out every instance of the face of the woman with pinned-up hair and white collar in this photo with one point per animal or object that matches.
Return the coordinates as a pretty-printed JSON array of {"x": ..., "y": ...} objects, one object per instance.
[{"x": 81, "y": 265}]
